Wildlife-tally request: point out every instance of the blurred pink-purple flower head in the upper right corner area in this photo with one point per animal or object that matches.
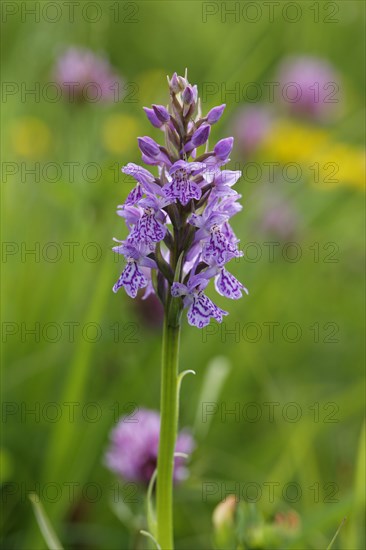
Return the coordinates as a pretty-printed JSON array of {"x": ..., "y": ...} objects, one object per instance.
[{"x": 309, "y": 86}]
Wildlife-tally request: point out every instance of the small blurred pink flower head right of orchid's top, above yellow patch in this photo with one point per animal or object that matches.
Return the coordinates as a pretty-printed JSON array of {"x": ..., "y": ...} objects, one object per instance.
[{"x": 251, "y": 126}]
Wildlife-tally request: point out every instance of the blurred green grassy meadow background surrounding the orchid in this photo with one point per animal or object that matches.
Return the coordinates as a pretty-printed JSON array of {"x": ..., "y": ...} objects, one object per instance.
[{"x": 167, "y": 37}]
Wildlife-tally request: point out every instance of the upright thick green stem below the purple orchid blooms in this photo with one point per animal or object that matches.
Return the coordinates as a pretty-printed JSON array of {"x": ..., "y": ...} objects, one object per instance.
[{"x": 168, "y": 434}]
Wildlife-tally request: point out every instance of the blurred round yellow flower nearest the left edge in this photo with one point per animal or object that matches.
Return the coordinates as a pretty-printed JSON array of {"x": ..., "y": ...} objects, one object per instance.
[{"x": 30, "y": 138}]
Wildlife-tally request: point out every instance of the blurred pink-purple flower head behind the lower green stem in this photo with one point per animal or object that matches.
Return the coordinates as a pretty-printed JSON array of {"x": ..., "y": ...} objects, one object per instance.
[{"x": 133, "y": 450}]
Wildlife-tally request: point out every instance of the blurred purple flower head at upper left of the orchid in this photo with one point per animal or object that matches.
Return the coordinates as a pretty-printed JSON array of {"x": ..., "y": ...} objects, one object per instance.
[{"x": 87, "y": 77}]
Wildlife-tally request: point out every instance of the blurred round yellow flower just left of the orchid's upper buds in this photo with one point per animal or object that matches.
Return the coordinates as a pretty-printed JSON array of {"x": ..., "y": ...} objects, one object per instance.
[{"x": 117, "y": 131}]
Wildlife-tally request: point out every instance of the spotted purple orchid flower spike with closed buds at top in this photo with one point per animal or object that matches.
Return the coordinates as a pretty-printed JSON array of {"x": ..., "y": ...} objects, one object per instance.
[{"x": 178, "y": 219}]
